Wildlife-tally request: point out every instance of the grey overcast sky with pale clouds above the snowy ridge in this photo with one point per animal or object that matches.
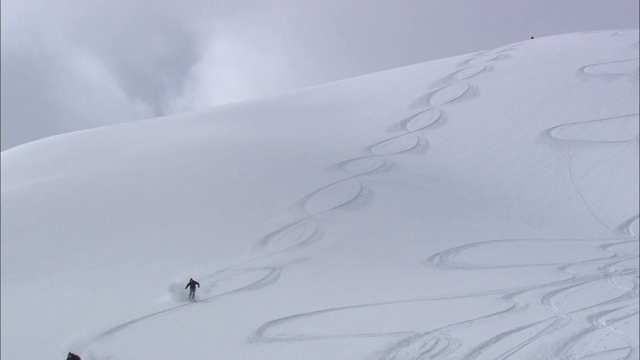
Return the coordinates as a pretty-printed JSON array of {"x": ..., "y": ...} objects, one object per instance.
[{"x": 69, "y": 65}]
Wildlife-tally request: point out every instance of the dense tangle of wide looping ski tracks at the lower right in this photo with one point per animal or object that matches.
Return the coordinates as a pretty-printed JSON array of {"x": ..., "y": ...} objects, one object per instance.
[{"x": 569, "y": 326}]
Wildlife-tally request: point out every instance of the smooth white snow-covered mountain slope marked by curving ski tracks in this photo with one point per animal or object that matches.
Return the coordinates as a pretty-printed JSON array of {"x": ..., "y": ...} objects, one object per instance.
[{"x": 477, "y": 207}]
